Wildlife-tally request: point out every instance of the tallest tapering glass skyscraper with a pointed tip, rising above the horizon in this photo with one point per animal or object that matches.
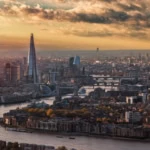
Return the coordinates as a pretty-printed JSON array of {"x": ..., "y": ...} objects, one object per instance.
[{"x": 32, "y": 75}]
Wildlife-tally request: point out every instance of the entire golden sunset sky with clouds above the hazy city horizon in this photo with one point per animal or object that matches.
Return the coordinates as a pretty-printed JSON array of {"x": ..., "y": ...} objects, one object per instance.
[{"x": 75, "y": 24}]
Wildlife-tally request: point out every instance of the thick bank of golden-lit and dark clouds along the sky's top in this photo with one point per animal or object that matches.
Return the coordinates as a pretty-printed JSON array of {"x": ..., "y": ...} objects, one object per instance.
[{"x": 92, "y": 11}]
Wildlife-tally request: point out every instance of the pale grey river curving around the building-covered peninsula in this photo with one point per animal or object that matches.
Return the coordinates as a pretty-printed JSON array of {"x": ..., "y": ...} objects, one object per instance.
[{"x": 80, "y": 142}]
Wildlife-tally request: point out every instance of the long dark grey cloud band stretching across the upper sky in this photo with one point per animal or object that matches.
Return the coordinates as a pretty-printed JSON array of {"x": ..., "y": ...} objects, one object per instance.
[{"x": 108, "y": 17}]
